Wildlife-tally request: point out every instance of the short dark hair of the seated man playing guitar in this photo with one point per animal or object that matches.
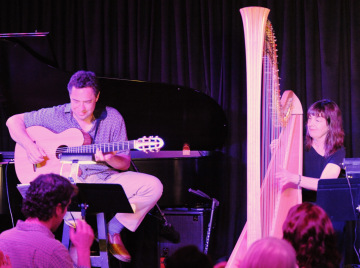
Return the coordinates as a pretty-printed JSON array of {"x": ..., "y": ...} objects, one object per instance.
[{"x": 82, "y": 79}]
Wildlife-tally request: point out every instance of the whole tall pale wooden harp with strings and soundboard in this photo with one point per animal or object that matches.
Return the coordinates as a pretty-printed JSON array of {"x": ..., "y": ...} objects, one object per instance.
[{"x": 271, "y": 119}]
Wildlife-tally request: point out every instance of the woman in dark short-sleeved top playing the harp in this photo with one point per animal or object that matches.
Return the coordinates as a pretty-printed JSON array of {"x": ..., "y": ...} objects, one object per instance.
[{"x": 324, "y": 148}]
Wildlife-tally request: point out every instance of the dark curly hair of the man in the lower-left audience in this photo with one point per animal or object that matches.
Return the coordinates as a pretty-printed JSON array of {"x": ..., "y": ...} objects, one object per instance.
[{"x": 45, "y": 193}]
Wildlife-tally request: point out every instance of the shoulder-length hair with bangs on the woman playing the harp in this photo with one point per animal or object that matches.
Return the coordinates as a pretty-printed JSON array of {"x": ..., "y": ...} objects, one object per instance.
[{"x": 335, "y": 136}]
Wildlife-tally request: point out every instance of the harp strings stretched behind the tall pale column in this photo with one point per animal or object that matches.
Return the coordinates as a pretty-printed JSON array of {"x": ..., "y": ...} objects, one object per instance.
[{"x": 271, "y": 154}]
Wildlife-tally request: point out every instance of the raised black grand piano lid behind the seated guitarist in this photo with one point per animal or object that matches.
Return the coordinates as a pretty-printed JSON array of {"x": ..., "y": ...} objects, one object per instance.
[{"x": 177, "y": 114}]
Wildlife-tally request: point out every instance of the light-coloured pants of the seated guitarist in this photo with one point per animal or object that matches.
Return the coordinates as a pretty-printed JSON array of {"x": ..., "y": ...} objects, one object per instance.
[{"x": 142, "y": 190}]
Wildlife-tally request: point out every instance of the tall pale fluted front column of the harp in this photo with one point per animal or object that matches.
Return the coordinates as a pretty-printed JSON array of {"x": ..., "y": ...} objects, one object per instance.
[{"x": 254, "y": 22}]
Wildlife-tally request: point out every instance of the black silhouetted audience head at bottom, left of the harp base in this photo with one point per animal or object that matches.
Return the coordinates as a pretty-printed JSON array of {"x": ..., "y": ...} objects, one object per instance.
[{"x": 189, "y": 257}]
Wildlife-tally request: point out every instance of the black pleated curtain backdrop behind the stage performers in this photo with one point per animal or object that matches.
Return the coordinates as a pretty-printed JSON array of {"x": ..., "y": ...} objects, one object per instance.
[{"x": 200, "y": 44}]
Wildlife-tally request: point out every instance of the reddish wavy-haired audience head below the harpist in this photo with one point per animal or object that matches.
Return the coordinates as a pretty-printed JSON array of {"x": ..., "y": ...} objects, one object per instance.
[{"x": 310, "y": 231}]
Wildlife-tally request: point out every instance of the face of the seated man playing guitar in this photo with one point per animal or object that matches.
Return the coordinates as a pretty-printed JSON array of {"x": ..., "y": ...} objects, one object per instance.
[{"x": 83, "y": 102}]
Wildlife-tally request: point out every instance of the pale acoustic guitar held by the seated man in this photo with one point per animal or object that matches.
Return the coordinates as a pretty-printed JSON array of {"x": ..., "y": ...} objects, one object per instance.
[{"x": 70, "y": 141}]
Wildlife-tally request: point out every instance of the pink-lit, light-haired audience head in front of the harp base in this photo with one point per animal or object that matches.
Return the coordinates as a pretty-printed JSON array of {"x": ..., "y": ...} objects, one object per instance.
[{"x": 270, "y": 252}]
